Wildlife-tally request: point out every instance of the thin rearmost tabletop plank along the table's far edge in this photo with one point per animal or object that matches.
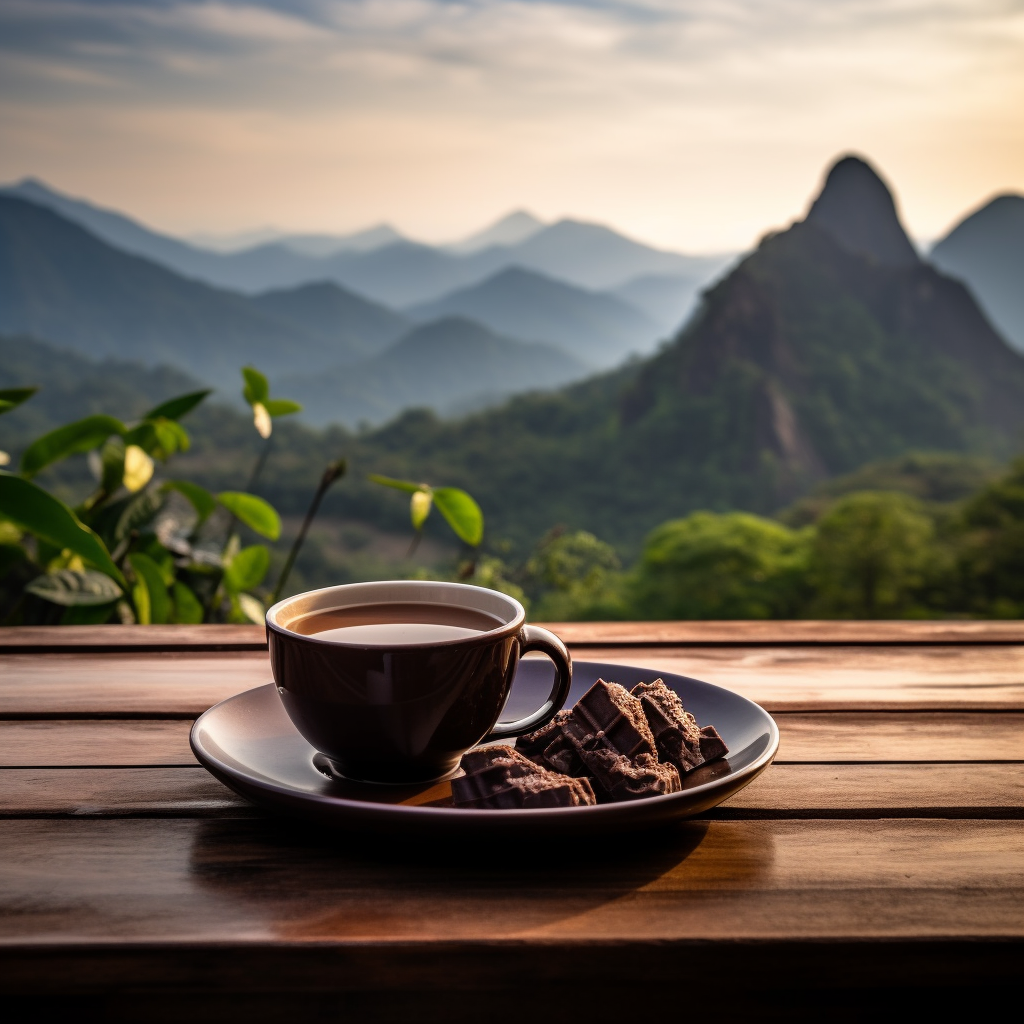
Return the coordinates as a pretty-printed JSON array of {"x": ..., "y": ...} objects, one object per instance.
[{"x": 205, "y": 638}]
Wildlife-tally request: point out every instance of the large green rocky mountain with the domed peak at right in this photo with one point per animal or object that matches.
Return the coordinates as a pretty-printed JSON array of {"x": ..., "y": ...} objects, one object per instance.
[{"x": 807, "y": 361}]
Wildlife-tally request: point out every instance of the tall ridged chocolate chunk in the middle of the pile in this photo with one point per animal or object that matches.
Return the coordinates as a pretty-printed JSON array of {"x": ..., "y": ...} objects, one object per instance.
[{"x": 611, "y": 735}]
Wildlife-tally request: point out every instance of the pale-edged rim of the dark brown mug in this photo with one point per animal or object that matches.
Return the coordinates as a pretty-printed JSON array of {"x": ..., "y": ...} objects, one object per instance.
[{"x": 424, "y": 586}]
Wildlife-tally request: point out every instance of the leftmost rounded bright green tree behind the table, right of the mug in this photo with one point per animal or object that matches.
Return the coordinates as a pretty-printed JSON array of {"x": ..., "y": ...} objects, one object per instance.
[{"x": 720, "y": 567}]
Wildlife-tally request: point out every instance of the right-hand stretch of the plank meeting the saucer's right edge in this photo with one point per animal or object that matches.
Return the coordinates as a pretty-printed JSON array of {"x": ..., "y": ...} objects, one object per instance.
[{"x": 901, "y": 737}]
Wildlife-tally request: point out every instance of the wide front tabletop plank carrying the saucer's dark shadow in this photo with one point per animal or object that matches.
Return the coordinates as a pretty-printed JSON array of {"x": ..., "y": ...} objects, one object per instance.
[{"x": 252, "y": 881}]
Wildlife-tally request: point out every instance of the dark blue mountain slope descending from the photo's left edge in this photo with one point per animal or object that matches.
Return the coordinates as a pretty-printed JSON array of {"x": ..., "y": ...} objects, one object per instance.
[{"x": 61, "y": 283}]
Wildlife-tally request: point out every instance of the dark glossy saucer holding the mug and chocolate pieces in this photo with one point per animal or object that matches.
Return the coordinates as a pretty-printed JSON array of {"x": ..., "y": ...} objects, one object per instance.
[{"x": 249, "y": 743}]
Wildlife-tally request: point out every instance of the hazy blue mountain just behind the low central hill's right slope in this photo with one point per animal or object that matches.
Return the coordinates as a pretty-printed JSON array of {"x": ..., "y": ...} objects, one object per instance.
[{"x": 600, "y": 330}]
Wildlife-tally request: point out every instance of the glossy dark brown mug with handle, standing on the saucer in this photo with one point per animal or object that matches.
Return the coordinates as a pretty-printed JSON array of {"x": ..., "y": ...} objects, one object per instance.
[{"x": 407, "y": 713}]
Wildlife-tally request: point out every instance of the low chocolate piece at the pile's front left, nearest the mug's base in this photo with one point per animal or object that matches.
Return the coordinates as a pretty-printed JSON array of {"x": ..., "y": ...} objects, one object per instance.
[{"x": 500, "y": 779}]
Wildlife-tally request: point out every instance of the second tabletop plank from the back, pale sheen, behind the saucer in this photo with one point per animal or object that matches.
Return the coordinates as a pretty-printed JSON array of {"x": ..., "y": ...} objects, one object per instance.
[{"x": 779, "y": 678}]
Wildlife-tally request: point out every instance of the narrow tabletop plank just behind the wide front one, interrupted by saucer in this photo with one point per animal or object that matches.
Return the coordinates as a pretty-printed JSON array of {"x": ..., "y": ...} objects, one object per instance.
[{"x": 979, "y": 791}]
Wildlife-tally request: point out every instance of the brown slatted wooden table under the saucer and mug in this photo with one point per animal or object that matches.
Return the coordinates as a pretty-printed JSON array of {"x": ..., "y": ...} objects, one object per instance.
[{"x": 881, "y": 857}]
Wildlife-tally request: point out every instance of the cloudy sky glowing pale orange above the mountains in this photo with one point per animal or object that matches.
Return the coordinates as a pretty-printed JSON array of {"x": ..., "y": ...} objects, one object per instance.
[{"x": 696, "y": 125}]
